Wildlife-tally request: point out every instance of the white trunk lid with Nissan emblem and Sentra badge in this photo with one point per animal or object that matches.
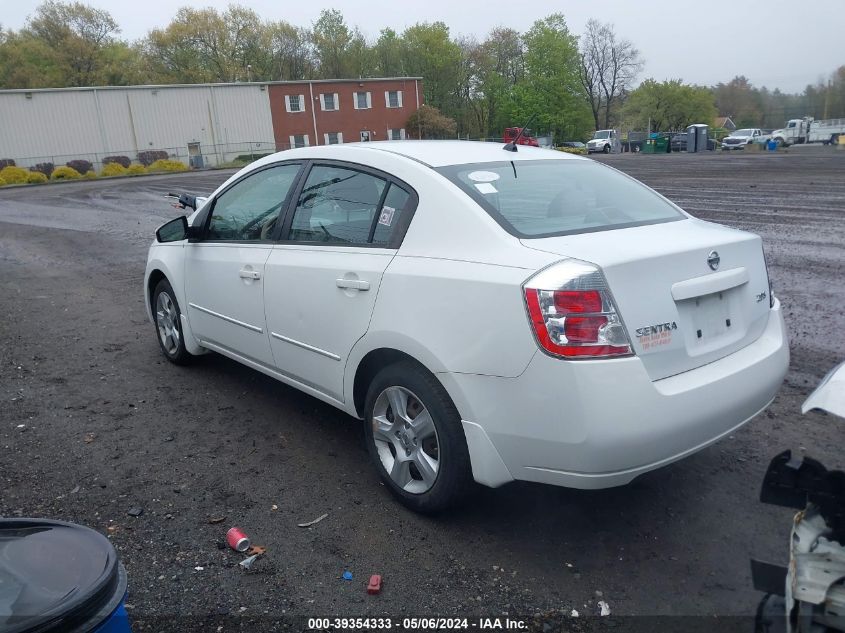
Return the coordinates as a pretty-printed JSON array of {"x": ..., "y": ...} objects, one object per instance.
[{"x": 679, "y": 311}]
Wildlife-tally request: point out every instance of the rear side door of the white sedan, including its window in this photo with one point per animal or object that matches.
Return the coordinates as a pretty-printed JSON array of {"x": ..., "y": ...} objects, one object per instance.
[{"x": 322, "y": 279}]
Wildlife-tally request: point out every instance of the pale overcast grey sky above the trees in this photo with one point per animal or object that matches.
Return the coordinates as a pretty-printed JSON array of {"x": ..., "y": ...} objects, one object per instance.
[{"x": 774, "y": 43}]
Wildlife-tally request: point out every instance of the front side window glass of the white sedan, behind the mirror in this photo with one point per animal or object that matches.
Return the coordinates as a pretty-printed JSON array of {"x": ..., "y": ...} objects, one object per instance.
[{"x": 249, "y": 210}]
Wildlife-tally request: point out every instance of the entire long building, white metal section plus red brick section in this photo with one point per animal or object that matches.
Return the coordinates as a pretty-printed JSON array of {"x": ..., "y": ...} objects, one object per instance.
[{"x": 200, "y": 124}]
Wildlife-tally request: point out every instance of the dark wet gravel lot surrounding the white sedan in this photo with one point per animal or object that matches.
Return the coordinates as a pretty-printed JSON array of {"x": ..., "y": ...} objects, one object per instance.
[{"x": 110, "y": 425}]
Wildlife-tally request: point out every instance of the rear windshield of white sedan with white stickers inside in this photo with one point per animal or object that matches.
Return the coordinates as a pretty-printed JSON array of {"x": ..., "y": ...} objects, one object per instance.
[{"x": 543, "y": 198}]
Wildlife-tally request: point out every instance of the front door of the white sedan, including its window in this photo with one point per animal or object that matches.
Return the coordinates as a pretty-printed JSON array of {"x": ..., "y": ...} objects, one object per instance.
[{"x": 224, "y": 272}]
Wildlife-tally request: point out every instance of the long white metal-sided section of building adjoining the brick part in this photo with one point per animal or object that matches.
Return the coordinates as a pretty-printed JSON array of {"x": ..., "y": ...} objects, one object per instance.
[{"x": 206, "y": 124}]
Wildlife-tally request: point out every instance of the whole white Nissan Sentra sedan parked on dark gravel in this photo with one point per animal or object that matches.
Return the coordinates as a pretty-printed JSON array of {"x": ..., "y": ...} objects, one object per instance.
[{"x": 491, "y": 315}]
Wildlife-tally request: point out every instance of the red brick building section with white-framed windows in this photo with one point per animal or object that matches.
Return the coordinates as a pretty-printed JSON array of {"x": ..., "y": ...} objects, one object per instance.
[{"x": 323, "y": 112}]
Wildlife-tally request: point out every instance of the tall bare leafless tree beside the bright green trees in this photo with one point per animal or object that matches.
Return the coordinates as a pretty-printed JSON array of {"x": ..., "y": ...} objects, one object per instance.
[{"x": 608, "y": 67}]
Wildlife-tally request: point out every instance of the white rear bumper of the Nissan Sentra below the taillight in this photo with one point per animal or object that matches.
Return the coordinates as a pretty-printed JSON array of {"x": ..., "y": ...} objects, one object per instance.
[{"x": 598, "y": 424}]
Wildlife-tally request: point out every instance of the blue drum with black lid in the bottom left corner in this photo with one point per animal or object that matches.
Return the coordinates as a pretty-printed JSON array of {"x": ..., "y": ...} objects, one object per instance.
[{"x": 59, "y": 577}]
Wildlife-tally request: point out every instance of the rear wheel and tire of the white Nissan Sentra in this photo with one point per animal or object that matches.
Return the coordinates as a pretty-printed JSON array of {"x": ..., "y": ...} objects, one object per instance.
[{"x": 421, "y": 455}]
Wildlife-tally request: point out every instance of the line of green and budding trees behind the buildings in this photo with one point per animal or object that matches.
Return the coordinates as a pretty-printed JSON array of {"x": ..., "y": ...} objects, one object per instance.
[{"x": 572, "y": 84}]
